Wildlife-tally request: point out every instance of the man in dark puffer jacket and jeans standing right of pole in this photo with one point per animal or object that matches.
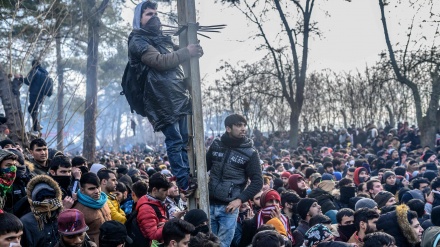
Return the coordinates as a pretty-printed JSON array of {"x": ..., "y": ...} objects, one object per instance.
[{"x": 232, "y": 161}]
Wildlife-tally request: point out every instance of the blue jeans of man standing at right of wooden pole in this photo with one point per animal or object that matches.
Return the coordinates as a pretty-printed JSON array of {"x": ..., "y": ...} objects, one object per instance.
[{"x": 223, "y": 224}]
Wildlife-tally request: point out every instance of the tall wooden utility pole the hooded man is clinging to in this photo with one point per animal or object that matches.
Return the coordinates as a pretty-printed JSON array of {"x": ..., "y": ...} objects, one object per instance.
[{"x": 186, "y": 11}]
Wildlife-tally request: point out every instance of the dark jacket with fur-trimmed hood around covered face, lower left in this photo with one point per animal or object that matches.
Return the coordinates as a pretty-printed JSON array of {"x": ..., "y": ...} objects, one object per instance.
[{"x": 32, "y": 236}]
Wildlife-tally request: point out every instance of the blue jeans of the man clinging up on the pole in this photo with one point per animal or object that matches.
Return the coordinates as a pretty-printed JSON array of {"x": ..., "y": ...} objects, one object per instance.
[{"x": 176, "y": 140}]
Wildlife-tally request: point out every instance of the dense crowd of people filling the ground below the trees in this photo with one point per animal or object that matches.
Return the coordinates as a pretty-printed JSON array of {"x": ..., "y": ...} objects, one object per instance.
[{"x": 381, "y": 193}]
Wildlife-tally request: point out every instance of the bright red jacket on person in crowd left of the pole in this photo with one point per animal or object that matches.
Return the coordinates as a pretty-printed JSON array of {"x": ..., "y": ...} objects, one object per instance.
[{"x": 147, "y": 218}]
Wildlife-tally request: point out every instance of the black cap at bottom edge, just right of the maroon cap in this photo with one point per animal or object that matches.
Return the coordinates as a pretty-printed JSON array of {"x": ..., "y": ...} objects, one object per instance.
[{"x": 112, "y": 231}]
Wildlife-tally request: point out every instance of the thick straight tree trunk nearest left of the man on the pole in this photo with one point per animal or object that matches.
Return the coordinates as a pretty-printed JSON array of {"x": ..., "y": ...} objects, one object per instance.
[{"x": 93, "y": 18}]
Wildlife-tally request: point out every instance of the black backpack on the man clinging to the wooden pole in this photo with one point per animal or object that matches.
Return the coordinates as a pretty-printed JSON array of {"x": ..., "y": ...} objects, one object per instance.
[{"x": 133, "y": 88}]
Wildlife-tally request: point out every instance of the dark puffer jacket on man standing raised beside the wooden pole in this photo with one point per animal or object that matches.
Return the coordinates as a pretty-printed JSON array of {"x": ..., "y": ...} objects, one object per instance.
[{"x": 231, "y": 163}]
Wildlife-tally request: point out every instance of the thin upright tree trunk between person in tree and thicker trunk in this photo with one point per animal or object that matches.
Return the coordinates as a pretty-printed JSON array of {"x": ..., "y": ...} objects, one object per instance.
[{"x": 60, "y": 96}]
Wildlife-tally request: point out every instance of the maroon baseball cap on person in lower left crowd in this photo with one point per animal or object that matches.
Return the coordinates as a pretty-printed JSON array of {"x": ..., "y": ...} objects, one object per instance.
[{"x": 71, "y": 222}]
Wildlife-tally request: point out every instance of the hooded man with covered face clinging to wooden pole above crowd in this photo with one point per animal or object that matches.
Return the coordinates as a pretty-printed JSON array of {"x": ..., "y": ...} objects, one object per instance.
[{"x": 166, "y": 99}]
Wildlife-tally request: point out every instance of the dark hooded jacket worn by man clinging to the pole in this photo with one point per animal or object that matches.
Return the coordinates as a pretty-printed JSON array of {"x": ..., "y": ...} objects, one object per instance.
[{"x": 156, "y": 69}]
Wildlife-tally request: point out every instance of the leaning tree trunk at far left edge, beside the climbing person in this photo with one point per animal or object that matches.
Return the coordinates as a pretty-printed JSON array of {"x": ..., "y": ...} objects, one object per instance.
[{"x": 13, "y": 112}]
